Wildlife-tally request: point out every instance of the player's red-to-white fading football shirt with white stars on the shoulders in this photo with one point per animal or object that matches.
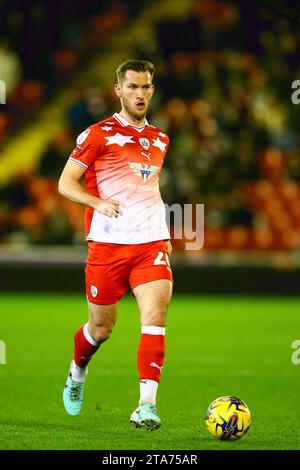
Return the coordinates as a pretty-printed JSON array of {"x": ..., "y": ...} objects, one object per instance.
[{"x": 123, "y": 162}]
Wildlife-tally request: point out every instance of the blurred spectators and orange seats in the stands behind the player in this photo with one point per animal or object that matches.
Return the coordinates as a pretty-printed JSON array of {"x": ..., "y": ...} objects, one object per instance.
[{"x": 223, "y": 82}]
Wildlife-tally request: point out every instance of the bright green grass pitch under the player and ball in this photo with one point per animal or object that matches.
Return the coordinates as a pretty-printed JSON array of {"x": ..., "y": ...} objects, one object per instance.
[{"x": 215, "y": 346}]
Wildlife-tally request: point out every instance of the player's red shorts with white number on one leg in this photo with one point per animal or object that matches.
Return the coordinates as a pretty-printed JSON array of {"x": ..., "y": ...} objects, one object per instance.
[{"x": 110, "y": 266}]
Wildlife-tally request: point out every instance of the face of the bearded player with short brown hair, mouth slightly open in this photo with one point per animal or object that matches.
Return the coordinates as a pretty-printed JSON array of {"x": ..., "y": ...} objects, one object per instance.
[{"x": 135, "y": 93}]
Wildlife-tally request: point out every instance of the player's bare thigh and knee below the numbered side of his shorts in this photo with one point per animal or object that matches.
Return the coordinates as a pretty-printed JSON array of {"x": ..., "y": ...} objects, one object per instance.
[{"x": 153, "y": 299}]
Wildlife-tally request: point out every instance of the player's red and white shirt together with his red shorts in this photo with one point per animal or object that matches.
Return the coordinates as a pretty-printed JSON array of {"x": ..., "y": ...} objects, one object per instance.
[{"x": 123, "y": 162}]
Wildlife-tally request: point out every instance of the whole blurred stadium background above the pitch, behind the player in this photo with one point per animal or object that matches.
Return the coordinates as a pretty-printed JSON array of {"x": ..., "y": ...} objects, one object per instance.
[{"x": 223, "y": 94}]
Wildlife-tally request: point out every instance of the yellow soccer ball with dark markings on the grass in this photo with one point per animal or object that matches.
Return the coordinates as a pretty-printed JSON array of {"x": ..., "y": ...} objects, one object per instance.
[{"x": 228, "y": 418}]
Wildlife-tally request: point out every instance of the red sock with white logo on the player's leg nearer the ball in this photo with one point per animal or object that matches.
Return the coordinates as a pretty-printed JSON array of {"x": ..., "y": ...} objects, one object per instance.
[{"x": 151, "y": 354}]
